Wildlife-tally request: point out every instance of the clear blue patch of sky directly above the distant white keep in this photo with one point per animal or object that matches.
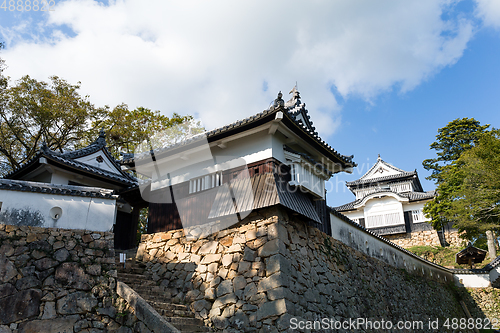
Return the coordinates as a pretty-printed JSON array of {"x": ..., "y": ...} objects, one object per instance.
[{"x": 400, "y": 127}]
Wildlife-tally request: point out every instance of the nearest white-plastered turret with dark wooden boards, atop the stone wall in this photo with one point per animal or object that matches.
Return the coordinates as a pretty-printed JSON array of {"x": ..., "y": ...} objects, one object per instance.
[{"x": 275, "y": 157}]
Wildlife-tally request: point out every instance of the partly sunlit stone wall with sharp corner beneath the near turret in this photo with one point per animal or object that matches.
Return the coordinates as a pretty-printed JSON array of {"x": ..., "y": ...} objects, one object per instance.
[{"x": 273, "y": 271}]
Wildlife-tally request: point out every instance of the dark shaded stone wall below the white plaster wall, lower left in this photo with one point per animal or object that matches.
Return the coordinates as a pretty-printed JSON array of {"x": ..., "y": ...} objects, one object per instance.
[{"x": 58, "y": 280}]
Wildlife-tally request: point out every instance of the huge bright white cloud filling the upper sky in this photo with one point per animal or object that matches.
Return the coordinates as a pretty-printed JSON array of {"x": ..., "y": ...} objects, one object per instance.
[{"x": 211, "y": 58}]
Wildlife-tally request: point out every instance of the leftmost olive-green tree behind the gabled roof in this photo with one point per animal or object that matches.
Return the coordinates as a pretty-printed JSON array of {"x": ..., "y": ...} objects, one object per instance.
[{"x": 33, "y": 111}]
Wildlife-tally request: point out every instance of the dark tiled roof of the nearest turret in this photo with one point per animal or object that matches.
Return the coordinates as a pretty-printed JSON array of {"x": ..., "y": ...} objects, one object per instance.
[{"x": 279, "y": 105}]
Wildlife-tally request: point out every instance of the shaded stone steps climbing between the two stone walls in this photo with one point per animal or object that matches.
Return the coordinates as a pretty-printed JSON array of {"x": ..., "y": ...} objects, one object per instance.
[{"x": 179, "y": 315}]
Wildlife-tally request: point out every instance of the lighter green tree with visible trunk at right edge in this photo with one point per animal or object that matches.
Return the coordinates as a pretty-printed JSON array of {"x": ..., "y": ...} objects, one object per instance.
[{"x": 475, "y": 203}]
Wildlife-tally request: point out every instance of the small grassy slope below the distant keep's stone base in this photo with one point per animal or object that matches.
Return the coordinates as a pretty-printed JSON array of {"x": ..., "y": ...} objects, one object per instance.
[{"x": 444, "y": 256}]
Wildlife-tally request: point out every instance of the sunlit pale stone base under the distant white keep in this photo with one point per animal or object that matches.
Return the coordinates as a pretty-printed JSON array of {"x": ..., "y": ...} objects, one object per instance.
[{"x": 425, "y": 238}]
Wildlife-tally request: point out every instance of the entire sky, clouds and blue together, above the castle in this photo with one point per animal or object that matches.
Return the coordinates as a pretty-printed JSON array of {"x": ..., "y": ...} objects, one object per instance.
[{"x": 378, "y": 77}]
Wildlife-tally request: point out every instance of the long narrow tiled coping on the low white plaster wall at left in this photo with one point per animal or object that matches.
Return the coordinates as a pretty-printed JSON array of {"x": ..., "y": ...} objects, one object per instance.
[{"x": 83, "y": 191}]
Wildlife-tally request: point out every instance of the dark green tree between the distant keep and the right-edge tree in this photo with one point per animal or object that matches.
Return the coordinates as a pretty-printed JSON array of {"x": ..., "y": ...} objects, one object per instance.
[{"x": 451, "y": 142}]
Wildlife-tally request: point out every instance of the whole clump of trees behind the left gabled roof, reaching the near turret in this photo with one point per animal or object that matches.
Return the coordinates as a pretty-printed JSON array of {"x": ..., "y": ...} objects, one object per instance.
[{"x": 32, "y": 112}]
